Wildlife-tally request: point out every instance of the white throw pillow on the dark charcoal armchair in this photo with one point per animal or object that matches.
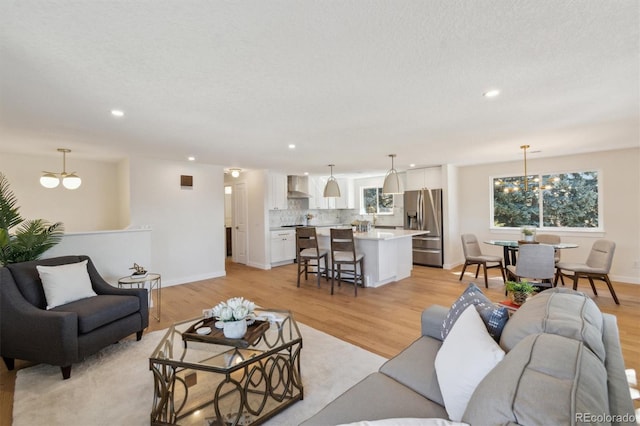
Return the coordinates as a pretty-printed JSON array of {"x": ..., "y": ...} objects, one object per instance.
[{"x": 65, "y": 283}]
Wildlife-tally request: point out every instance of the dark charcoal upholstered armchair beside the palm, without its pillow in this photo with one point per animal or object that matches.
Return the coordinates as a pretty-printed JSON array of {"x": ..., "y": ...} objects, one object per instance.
[{"x": 69, "y": 333}]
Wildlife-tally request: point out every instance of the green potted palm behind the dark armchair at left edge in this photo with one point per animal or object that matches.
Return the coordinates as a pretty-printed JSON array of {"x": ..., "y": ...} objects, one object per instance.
[{"x": 22, "y": 240}]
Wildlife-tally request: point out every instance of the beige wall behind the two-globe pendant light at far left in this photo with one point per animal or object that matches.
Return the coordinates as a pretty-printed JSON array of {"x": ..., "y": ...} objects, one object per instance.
[{"x": 93, "y": 206}]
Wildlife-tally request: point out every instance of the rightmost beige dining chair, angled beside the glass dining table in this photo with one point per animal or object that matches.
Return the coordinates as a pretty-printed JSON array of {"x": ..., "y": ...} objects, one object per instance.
[{"x": 597, "y": 267}]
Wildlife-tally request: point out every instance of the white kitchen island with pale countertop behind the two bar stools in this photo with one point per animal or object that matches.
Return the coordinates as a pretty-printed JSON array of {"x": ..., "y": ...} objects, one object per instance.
[{"x": 387, "y": 253}]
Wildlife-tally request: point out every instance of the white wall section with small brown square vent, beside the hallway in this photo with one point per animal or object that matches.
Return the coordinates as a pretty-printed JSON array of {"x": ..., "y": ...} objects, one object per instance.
[{"x": 187, "y": 239}]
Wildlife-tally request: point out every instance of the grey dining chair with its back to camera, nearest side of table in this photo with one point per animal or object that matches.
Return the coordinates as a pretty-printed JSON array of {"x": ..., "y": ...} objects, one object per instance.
[{"x": 535, "y": 264}]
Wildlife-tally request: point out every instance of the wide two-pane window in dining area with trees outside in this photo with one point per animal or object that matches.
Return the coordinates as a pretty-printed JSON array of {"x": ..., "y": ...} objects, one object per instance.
[{"x": 561, "y": 200}]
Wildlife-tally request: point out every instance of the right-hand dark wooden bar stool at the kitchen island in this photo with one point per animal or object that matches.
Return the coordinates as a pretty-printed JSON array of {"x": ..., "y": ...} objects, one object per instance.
[{"x": 343, "y": 252}]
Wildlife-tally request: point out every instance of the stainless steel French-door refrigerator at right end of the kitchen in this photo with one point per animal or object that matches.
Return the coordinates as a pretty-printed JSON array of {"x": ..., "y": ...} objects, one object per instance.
[{"x": 423, "y": 211}]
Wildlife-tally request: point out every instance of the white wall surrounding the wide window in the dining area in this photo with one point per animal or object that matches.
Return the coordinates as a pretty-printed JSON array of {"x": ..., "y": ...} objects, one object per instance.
[{"x": 620, "y": 179}]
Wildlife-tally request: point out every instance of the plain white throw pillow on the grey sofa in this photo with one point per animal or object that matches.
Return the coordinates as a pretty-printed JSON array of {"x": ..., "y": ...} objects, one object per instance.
[{"x": 466, "y": 356}]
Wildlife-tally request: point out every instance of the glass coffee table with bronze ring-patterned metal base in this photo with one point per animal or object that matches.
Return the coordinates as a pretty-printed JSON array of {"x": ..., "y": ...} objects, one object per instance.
[{"x": 234, "y": 382}]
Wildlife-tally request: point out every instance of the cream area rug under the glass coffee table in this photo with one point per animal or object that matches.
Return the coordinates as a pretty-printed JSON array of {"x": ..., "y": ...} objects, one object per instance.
[{"x": 115, "y": 386}]
